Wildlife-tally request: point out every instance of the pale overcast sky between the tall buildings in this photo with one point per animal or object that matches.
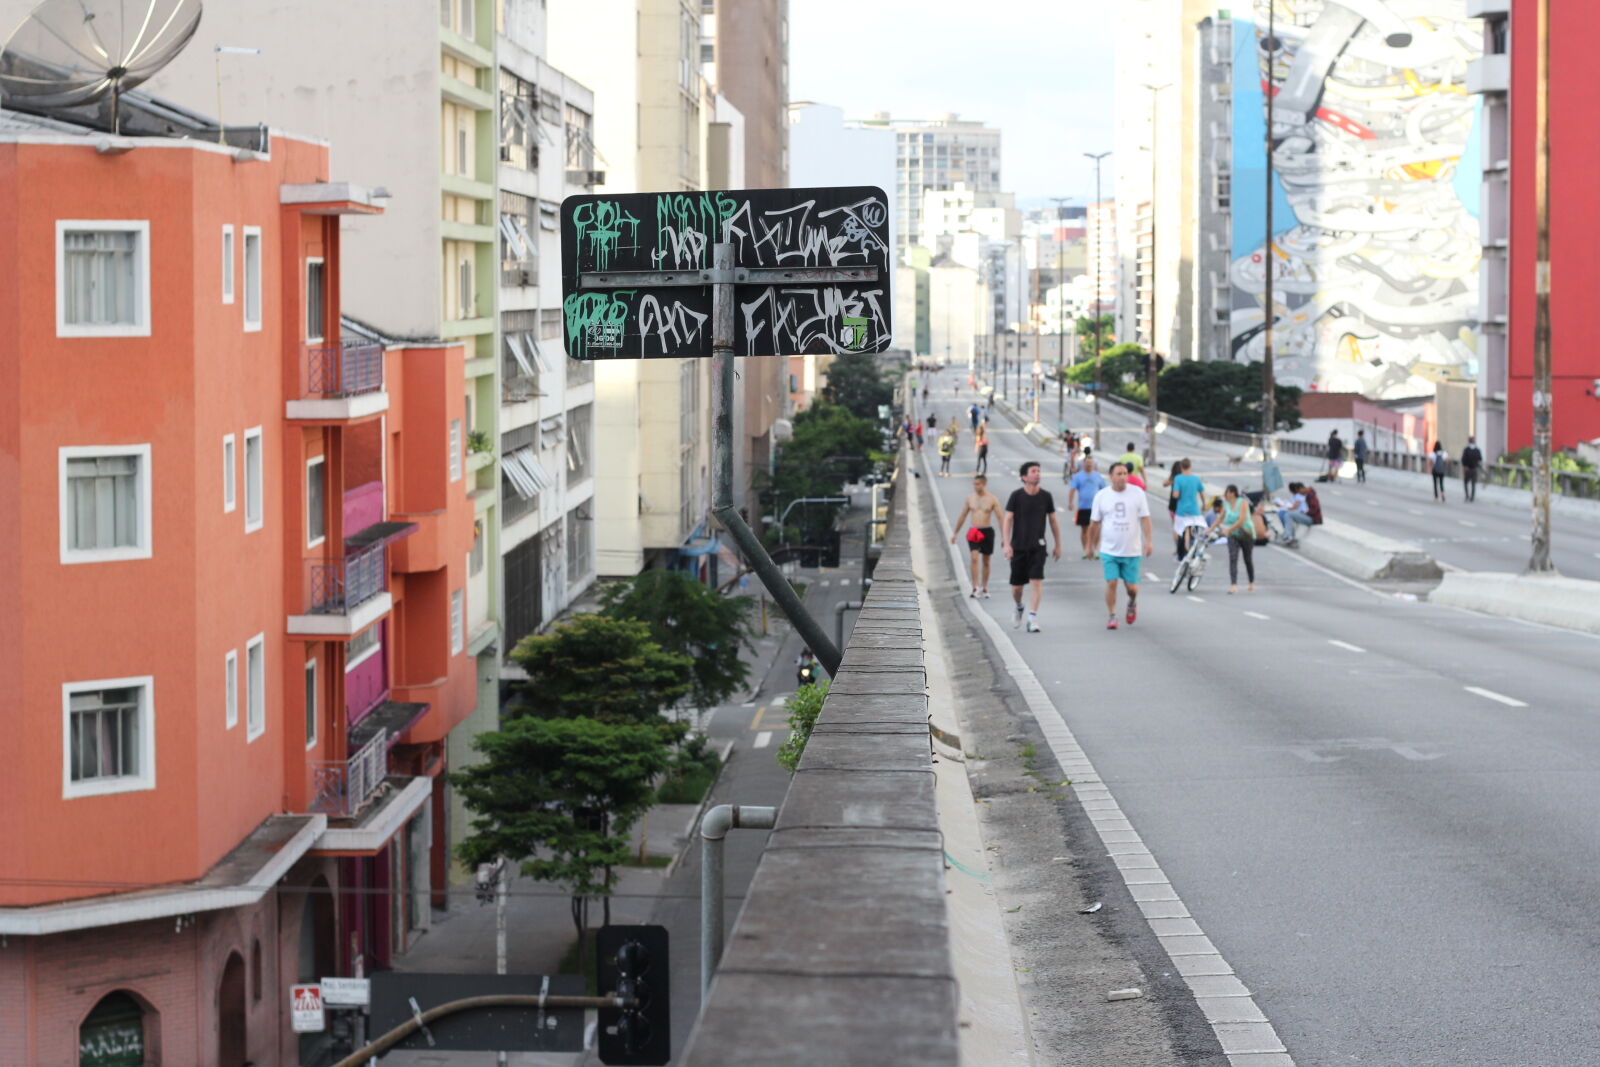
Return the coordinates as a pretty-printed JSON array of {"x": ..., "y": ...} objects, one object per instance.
[{"x": 1039, "y": 70}]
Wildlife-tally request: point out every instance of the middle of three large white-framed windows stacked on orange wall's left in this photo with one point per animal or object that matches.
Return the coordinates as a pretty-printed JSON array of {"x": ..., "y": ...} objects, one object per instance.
[{"x": 105, "y": 505}]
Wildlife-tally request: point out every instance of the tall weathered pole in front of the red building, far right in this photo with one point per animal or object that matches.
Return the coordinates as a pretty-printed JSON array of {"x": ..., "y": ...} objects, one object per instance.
[{"x": 1540, "y": 561}]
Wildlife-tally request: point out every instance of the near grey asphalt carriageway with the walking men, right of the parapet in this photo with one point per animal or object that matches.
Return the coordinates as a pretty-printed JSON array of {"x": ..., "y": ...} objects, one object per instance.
[{"x": 1380, "y": 810}]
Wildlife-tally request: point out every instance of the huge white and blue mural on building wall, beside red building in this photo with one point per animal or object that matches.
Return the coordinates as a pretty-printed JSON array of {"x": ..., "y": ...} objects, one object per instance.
[{"x": 1375, "y": 249}]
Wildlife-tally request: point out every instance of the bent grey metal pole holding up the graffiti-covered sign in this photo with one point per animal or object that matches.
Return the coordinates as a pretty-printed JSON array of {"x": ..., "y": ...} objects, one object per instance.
[{"x": 722, "y": 463}]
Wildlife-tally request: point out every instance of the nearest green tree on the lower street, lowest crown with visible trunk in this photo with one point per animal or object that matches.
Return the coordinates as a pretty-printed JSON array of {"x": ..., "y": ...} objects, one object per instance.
[{"x": 559, "y": 797}]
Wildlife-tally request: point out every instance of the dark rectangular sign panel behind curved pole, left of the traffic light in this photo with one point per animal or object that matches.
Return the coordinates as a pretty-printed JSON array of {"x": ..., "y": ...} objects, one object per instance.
[{"x": 484, "y": 1029}]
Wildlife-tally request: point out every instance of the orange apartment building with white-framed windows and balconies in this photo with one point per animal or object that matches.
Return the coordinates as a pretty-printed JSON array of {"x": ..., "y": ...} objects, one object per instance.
[{"x": 234, "y": 554}]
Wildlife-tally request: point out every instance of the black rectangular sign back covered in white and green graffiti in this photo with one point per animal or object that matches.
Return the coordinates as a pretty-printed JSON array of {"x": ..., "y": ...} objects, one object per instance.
[{"x": 810, "y": 273}]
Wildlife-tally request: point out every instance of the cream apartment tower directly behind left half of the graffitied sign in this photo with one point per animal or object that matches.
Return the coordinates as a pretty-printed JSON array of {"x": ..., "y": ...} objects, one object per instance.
[{"x": 654, "y": 417}]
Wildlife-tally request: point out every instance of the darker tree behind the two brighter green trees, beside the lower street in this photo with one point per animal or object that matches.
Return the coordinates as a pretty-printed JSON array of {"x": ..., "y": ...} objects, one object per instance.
[{"x": 694, "y": 621}]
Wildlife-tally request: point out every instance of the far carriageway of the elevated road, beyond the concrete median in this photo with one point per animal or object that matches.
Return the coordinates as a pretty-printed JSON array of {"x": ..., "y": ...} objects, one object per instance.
[{"x": 1481, "y": 537}]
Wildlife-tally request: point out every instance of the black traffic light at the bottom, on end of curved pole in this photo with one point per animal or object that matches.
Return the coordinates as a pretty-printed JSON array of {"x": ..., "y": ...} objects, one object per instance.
[{"x": 633, "y": 964}]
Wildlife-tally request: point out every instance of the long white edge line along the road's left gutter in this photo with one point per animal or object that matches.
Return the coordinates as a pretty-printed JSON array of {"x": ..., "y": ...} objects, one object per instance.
[{"x": 1145, "y": 885}]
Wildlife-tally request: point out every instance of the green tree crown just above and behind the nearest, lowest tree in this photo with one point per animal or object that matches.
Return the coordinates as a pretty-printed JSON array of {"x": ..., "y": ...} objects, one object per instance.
[{"x": 601, "y": 668}]
